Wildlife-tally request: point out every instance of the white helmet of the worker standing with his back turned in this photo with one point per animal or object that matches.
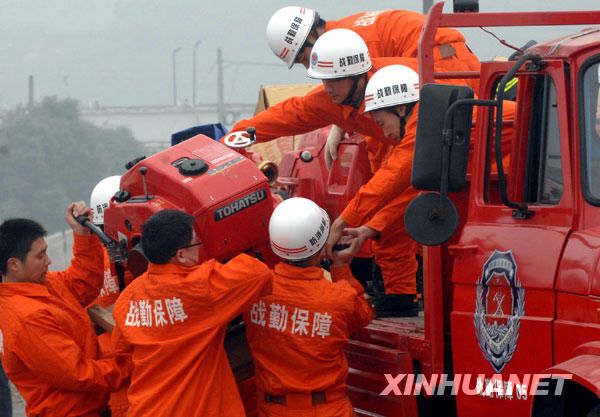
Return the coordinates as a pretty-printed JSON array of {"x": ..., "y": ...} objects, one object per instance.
[{"x": 298, "y": 229}]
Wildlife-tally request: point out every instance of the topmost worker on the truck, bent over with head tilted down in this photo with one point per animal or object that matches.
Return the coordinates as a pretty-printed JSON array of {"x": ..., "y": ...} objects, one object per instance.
[{"x": 293, "y": 31}]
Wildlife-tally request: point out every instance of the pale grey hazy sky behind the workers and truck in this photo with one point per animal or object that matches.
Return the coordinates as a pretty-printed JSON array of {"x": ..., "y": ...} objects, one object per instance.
[{"x": 118, "y": 52}]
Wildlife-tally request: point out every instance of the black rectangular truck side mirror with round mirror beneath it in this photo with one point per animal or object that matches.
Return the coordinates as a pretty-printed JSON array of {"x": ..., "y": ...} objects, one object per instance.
[{"x": 440, "y": 161}]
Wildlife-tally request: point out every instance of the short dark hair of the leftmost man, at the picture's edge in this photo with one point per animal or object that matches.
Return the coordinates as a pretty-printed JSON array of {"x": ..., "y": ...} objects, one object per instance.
[{"x": 16, "y": 237}]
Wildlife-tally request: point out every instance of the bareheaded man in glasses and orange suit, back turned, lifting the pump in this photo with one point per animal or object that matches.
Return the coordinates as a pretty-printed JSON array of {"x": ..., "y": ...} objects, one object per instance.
[{"x": 172, "y": 320}]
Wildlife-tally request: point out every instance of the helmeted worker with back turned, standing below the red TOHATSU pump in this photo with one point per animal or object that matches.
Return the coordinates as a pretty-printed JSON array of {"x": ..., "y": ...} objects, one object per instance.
[{"x": 297, "y": 333}]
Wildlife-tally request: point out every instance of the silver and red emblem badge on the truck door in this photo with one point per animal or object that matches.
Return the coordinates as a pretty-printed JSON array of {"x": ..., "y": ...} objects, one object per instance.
[{"x": 499, "y": 308}]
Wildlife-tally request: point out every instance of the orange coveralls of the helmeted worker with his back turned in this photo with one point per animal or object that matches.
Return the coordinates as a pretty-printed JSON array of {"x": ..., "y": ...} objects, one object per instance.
[{"x": 296, "y": 335}]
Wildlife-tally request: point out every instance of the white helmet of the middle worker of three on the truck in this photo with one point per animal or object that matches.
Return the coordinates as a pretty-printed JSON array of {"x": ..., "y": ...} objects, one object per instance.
[{"x": 339, "y": 53}]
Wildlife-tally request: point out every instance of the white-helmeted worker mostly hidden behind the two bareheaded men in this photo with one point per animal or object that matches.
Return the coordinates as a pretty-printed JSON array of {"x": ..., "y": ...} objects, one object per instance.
[{"x": 113, "y": 273}]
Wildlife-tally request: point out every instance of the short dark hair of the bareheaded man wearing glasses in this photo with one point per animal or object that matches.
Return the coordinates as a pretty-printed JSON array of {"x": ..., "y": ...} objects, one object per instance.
[{"x": 164, "y": 233}]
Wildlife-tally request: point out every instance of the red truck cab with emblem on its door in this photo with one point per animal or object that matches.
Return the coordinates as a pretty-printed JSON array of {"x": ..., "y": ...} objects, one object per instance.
[{"x": 516, "y": 288}]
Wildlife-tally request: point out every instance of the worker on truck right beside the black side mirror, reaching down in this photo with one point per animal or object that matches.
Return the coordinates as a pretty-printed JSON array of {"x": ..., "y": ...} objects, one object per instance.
[{"x": 391, "y": 98}]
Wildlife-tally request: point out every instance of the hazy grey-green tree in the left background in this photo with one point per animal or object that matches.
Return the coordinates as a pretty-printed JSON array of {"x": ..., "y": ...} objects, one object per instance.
[{"x": 52, "y": 157}]
